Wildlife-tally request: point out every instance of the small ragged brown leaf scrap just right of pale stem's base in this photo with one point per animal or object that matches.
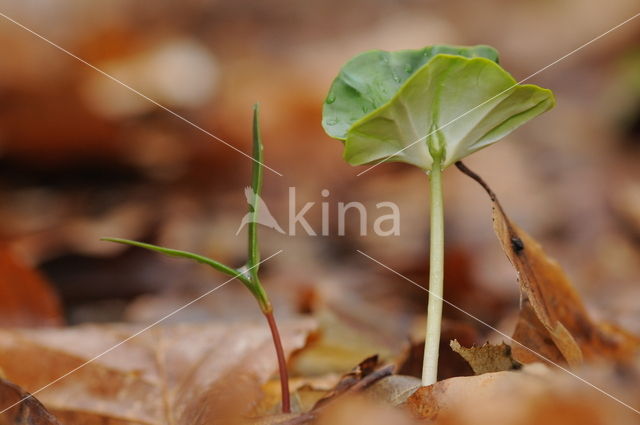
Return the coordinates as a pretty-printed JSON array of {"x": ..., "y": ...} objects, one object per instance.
[{"x": 487, "y": 358}]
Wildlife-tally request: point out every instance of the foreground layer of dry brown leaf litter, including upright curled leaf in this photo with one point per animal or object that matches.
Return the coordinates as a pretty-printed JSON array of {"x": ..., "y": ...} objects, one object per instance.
[{"x": 197, "y": 374}]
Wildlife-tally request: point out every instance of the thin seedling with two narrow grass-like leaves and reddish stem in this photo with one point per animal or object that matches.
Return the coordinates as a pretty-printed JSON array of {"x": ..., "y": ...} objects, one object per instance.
[{"x": 248, "y": 274}]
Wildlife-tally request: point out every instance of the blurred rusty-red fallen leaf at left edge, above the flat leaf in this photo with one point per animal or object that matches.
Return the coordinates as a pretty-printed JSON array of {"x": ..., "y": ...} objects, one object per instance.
[{"x": 26, "y": 298}]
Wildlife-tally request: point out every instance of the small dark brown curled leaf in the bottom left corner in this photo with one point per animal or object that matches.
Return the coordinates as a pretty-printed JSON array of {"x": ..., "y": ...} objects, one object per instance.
[{"x": 30, "y": 412}]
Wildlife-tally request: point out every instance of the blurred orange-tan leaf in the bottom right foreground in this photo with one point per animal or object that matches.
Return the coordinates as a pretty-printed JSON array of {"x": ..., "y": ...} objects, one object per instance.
[{"x": 535, "y": 395}]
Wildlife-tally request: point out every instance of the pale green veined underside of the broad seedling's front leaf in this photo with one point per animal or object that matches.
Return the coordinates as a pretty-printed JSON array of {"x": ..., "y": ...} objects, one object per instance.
[{"x": 454, "y": 103}]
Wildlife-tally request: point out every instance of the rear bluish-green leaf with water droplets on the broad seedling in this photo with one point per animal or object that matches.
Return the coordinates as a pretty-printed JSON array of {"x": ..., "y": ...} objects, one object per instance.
[{"x": 371, "y": 79}]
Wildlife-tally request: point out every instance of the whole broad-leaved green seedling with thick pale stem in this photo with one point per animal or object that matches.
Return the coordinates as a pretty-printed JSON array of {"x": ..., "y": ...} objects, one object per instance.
[{"x": 430, "y": 108}]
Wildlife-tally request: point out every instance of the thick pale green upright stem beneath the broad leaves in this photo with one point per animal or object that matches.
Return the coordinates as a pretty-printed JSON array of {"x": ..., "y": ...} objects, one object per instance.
[{"x": 436, "y": 277}]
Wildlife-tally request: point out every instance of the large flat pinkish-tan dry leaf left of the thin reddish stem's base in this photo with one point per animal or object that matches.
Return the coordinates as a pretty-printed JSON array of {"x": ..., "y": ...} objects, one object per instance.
[{"x": 183, "y": 374}]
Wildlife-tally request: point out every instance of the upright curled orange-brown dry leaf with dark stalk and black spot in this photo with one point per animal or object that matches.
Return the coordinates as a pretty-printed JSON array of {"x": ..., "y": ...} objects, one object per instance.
[{"x": 563, "y": 325}]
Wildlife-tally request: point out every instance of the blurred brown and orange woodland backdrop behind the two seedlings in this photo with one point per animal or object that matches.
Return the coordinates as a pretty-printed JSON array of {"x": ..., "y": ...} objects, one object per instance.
[{"x": 83, "y": 157}]
